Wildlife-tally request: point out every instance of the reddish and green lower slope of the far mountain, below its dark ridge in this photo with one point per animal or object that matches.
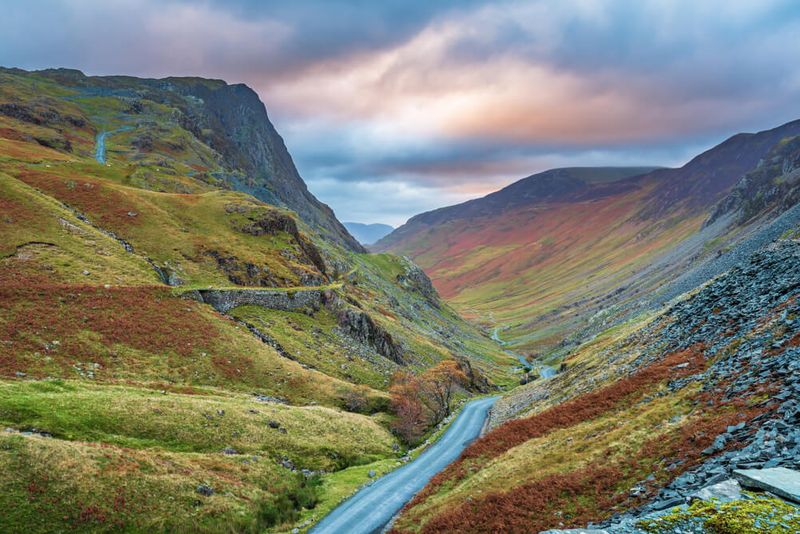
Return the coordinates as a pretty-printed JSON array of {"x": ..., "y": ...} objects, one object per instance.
[{"x": 539, "y": 272}]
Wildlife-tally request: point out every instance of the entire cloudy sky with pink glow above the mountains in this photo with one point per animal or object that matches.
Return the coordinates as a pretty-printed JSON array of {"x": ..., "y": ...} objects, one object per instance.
[{"x": 394, "y": 107}]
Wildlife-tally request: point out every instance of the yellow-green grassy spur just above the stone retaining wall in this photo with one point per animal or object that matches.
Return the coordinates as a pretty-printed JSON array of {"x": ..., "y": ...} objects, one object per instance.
[{"x": 198, "y": 237}]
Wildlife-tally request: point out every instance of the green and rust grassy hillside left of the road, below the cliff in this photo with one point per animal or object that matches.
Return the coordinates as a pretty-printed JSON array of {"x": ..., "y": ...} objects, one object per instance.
[{"x": 131, "y": 404}]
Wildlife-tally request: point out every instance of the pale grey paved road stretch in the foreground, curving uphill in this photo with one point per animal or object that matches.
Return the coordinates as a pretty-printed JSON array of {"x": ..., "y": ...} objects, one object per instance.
[{"x": 373, "y": 507}]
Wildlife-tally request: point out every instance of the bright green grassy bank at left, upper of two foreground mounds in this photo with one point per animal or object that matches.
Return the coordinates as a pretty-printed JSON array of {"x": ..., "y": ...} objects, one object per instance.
[{"x": 313, "y": 437}]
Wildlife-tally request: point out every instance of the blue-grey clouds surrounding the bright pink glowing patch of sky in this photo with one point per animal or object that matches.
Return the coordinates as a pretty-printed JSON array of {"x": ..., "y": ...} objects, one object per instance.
[{"x": 731, "y": 64}]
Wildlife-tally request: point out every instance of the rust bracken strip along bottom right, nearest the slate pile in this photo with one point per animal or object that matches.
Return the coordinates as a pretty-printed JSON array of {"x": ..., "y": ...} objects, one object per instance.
[{"x": 577, "y": 497}]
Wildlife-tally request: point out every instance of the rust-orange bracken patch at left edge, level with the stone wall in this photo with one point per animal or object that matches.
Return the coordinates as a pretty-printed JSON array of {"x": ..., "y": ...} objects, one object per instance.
[{"x": 64, "y": 321}]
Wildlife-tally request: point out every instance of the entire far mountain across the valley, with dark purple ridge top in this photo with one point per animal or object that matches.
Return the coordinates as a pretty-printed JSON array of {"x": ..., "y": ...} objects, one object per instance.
[{"x": 552, "y": 251}]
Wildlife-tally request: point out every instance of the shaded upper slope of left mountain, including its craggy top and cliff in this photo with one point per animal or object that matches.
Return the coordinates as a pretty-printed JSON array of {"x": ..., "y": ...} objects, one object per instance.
[{"x": 225, "y": 125}]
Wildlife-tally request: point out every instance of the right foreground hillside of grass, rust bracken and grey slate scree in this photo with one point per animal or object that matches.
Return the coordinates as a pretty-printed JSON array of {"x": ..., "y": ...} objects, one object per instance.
[{"x": 646, "y": 412}]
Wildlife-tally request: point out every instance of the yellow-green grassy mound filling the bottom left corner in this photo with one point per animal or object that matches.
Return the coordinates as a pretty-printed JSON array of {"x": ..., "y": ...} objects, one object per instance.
[{"x": 53, "y": 485}]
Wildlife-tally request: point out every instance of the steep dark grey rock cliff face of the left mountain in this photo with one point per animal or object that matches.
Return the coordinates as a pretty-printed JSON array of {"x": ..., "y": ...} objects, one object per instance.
[{"x": 232, "y": 120}]
